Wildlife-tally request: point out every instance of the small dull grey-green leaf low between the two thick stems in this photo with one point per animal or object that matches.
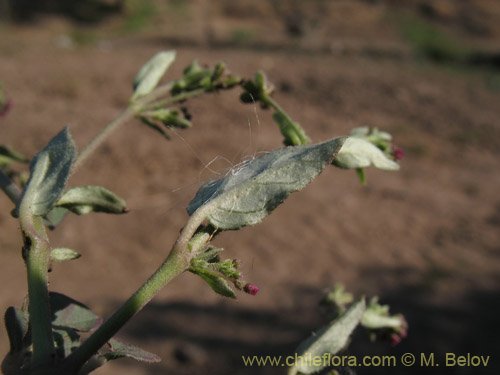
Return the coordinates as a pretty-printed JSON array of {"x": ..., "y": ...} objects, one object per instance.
[{"x": 71, "y": 314}]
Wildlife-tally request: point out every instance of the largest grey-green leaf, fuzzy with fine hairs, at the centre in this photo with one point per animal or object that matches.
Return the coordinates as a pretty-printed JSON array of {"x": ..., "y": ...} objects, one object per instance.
[{"x": 249, "y": 194}]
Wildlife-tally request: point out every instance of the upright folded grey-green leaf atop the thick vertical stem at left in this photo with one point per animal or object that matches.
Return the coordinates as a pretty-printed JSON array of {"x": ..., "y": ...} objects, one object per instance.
[{"x": 50, "y": 170}]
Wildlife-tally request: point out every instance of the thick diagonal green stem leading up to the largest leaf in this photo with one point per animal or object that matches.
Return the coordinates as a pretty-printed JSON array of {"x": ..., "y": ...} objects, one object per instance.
[{"x": 176, "y": 263}]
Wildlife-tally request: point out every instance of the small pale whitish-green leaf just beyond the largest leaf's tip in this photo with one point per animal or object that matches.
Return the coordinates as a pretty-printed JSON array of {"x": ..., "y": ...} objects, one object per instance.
[{"x": 359, "y": 153}]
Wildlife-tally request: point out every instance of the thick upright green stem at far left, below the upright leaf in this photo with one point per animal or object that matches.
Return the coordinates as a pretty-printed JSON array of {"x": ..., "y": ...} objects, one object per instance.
[{"x": 36, "y": 252}]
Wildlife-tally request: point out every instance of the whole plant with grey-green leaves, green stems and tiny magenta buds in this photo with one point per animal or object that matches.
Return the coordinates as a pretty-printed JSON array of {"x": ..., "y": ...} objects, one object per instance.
[{"x": 53, "y": 334}]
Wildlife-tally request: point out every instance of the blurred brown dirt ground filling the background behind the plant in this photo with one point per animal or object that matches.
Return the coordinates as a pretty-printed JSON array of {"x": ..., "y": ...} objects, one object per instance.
[{"x": 424, "y": 239}]
